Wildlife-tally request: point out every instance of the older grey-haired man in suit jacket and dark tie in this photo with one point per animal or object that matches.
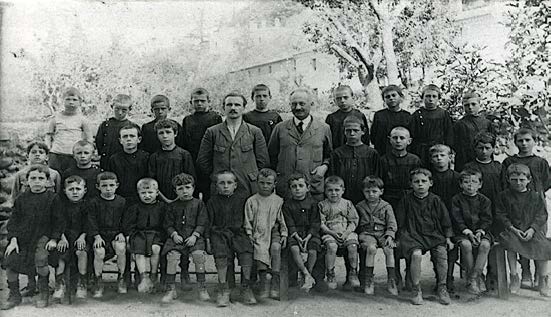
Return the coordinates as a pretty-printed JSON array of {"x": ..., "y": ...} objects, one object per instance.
[{"x": 301, "y": 145}]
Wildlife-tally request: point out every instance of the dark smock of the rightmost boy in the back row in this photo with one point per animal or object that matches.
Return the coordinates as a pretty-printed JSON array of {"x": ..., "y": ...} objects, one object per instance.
[{"x": 464, "y": 132}]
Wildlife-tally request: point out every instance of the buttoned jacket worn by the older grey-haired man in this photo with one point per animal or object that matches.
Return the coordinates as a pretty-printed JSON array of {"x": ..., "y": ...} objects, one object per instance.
[{"x": 293, "y": 152}]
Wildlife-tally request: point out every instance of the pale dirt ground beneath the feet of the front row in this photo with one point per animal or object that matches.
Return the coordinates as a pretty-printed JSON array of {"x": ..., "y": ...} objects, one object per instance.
[{"x": 332, "y": 303}]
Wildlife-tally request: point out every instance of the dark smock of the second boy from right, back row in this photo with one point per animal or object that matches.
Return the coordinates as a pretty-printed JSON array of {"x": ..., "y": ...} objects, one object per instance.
[{"x": 427, "y": 128}]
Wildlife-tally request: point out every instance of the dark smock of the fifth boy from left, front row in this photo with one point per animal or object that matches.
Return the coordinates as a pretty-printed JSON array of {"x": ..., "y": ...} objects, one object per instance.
[{"x": 185, "y": 217}]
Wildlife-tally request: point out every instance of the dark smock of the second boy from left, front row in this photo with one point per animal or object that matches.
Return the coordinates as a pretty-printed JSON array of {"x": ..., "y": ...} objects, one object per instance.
[{"x": 69, "y": 218}]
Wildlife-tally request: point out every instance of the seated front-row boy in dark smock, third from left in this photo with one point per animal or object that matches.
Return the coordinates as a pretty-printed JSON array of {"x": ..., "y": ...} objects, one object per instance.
[{"x": 105, "y": 227}]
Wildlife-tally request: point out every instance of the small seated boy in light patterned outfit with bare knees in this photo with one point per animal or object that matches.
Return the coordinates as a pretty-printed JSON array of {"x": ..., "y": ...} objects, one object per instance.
[{"x": 338, "y": 219}]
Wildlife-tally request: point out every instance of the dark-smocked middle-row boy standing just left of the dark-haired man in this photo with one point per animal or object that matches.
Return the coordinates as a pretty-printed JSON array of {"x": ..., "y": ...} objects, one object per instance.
[{"x": 170, "y": 160}]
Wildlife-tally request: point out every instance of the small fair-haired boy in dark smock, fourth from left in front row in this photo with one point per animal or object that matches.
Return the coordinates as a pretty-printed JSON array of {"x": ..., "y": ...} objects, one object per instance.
[{"x": 143, "y": 223}]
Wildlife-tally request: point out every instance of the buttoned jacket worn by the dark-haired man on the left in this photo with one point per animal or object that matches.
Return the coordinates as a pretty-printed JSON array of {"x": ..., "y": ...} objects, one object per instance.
[{"x": 244, "y": 155}]
